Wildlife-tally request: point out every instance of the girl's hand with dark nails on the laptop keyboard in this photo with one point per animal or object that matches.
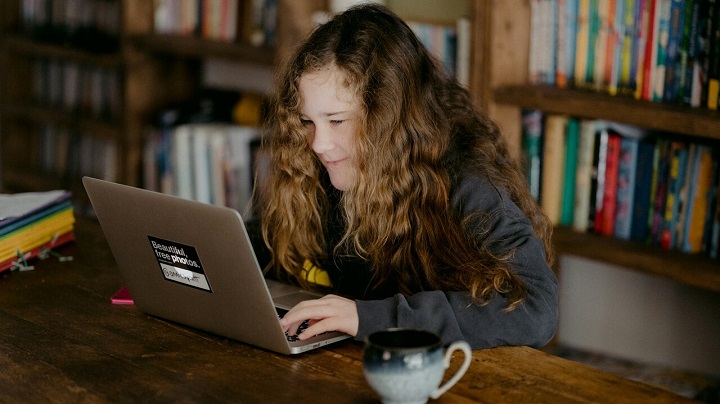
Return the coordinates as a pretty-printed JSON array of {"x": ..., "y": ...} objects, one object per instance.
[{"x": 329, "y": 313}]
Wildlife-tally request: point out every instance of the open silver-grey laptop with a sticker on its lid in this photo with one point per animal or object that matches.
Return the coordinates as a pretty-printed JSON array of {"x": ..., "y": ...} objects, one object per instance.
[{"x": 193, "y": 263}]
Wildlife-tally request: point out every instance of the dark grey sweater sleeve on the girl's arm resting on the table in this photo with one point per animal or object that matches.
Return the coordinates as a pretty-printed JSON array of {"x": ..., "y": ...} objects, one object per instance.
[{"x": 452, "y": 314}]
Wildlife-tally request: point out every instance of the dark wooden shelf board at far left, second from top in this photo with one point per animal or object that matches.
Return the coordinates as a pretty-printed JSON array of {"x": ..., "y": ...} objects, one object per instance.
[{"x": 58, "y": 116}]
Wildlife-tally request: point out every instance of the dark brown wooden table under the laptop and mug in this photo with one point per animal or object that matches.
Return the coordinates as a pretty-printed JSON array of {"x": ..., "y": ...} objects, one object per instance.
[{"x": 62, "y": 341}]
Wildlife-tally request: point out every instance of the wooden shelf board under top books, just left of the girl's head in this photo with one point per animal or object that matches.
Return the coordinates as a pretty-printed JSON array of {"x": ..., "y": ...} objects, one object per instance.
[{"x": 187, "y": 46}]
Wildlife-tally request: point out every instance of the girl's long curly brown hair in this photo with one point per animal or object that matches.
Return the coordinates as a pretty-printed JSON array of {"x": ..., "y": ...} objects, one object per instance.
[{"x": 418, "y": 132}]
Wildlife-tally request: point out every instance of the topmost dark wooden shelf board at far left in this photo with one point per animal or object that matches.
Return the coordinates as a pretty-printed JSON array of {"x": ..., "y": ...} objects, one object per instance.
[{"x": 26, "y": 46}]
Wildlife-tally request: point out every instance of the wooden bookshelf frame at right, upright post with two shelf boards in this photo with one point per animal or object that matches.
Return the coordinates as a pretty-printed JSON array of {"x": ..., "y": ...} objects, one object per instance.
[{"x": 504, "y": 53}]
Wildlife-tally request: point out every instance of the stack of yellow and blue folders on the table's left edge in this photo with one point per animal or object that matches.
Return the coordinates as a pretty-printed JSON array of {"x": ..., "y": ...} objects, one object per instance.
[{"x": 33, "y": 224}]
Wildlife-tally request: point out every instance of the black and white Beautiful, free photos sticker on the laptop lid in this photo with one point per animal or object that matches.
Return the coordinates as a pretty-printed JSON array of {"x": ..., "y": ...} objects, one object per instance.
[{"x": 179, "y": 263}]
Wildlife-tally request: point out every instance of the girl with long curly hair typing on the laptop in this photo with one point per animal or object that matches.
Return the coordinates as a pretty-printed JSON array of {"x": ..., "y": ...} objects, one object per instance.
[{"x": 387, "y": 188}]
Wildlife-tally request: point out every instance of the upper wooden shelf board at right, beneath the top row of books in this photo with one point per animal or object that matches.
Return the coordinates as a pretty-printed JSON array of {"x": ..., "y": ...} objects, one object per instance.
[{"x": 592, "y": 105}]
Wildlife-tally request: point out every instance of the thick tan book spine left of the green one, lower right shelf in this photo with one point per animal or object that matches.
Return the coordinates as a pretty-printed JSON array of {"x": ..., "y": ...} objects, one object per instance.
[{"x": 553, "y": 166}]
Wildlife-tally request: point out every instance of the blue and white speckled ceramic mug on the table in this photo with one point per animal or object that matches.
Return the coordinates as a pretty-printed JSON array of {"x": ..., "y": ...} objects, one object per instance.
[{"x": 407, "y": 365}]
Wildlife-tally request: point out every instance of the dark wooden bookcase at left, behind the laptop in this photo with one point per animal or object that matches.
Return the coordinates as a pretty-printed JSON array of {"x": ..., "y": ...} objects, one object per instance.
[{"x": 150, "y": 71}]
